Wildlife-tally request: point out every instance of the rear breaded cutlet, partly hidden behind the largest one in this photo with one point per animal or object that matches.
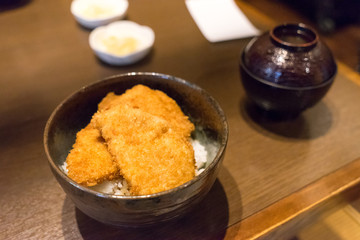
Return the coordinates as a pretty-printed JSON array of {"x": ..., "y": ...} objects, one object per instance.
[{"x": 154, "y": 102}]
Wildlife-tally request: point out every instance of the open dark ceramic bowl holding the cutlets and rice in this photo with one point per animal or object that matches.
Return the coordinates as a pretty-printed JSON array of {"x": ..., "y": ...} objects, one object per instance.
[{"x": 75, "y": 112}]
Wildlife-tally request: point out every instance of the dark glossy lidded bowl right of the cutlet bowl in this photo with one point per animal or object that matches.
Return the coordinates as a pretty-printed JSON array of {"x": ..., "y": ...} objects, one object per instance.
[{"x": 287, "y": 70}]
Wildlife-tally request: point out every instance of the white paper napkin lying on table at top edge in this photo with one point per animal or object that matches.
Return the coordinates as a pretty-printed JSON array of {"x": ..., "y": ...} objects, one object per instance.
[{"x": 220, "y": 20}]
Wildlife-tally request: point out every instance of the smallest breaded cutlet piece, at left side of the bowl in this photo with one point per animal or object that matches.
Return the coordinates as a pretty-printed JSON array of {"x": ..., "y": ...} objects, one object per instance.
[{"x": 89, "y": 162}]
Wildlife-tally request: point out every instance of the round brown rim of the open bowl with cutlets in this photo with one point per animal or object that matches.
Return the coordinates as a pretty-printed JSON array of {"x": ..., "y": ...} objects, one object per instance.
[{"x": 206, "y": 171}]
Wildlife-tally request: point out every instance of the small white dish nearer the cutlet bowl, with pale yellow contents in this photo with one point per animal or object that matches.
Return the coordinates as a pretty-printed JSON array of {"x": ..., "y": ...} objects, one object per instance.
[{"x": 122, "y": 42}]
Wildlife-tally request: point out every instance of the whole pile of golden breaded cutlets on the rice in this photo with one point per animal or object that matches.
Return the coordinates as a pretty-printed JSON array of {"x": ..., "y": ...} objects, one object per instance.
[{"x": 142, "y": 136}]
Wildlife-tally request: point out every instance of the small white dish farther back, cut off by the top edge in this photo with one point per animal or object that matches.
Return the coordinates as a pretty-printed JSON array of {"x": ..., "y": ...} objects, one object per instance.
[{"x": 95, "y": 13}]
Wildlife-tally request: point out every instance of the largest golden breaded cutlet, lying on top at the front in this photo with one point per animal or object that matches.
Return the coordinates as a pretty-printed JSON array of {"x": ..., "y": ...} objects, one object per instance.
[{"x": 151, "y": 156}]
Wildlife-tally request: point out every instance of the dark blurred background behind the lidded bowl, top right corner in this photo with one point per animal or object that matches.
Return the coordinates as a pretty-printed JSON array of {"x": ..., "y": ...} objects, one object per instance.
[{"x": 337, "y": 22}]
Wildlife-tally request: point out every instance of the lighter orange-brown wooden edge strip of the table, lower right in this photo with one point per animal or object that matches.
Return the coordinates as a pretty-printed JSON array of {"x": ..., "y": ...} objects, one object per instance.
[{"x": 288, "y": 208}]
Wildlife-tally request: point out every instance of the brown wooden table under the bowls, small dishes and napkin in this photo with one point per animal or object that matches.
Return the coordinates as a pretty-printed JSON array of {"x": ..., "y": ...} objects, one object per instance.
[{"x": 274, "y": 172}]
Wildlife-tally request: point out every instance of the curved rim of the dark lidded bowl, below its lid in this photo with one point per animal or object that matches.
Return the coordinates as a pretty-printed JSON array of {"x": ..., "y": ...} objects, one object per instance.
[{"x": 285, "y": 87}]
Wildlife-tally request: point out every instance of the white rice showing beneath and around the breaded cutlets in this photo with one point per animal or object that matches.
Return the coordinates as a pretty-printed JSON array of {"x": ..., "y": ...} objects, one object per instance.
[{"x": 121, "y": 188}]
